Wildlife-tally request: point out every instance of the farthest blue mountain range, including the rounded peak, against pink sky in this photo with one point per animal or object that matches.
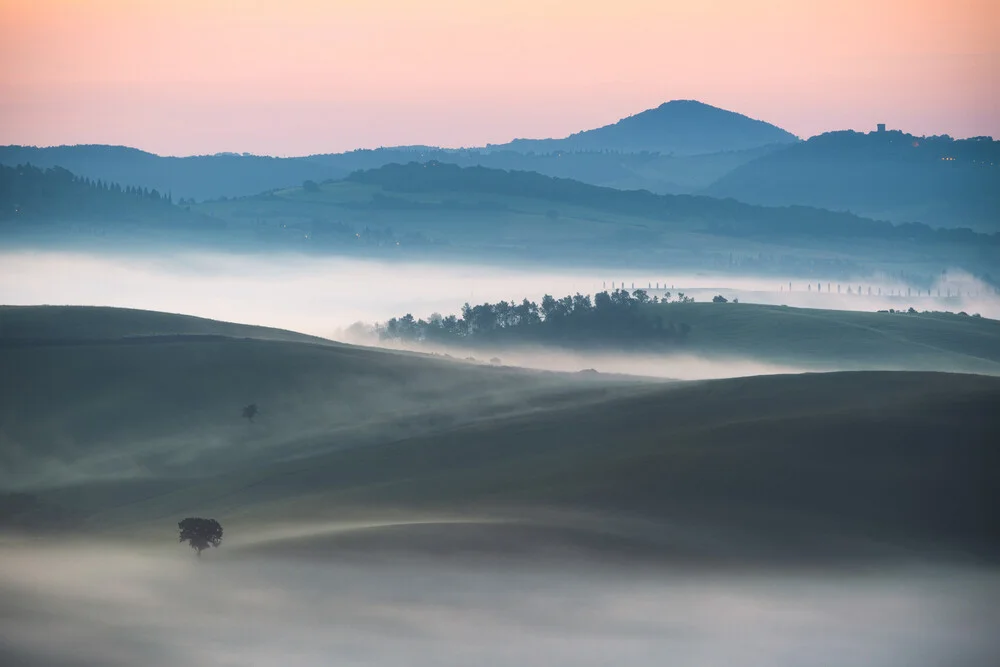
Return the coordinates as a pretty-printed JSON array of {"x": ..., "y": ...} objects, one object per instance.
[{"x": 706, "y": 144}]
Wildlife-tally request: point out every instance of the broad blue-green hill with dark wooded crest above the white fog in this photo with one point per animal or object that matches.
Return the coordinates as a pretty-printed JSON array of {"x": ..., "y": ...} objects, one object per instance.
[{"x": 446, "y": 210}]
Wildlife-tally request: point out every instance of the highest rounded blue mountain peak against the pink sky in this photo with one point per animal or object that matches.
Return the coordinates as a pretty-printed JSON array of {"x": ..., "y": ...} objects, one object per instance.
[{"x": 680, "y": 127}]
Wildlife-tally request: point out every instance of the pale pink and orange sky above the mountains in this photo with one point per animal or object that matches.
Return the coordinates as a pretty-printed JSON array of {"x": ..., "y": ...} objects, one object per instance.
[{"x": 295, "y": 77}]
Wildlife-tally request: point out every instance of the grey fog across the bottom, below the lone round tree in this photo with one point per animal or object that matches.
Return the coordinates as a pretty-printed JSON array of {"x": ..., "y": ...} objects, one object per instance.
[{"x": 127, "y": 604}]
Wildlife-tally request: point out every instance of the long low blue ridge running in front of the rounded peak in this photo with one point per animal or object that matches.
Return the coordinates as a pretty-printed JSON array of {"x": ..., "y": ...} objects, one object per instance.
[{"x": 214, "y": 177}]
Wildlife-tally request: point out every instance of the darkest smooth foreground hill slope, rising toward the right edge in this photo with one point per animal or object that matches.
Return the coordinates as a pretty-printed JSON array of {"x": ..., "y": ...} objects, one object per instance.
[{"x": 807, "y": 464}]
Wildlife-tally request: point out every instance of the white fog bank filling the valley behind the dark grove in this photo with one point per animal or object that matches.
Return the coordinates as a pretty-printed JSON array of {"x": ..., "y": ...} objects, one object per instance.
[{"x": 320, "y": 295}]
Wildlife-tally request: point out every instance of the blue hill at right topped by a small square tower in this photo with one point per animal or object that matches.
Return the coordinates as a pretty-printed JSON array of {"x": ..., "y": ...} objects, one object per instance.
[{"x": 890, "y": 175}]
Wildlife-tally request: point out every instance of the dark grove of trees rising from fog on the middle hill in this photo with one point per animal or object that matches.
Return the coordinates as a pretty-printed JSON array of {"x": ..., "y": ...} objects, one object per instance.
[{"x": 608, "y": 317}]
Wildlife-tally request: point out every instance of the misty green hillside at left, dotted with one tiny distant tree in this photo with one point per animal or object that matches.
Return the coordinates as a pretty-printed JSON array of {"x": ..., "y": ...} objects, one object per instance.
[{"x": 79, "y": 401}]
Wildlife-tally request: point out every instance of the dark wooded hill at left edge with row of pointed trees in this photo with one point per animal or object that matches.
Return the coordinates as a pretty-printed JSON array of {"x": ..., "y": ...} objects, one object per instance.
[{"x": 30, "y": 193}]
